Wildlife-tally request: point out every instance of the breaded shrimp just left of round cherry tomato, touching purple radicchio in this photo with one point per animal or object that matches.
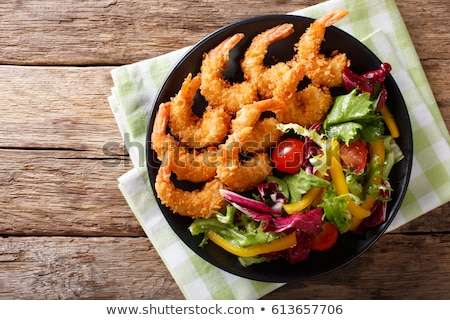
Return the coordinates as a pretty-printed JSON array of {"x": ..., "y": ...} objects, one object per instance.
[{"x": 241, "y": 175}]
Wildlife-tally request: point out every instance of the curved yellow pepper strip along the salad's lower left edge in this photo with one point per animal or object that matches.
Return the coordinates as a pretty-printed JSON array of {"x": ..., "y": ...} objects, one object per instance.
[{"x": 280, "y": 244}]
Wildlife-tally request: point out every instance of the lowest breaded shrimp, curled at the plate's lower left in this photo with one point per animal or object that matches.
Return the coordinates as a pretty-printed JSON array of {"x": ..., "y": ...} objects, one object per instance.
[{"x": 195, "y": 204}]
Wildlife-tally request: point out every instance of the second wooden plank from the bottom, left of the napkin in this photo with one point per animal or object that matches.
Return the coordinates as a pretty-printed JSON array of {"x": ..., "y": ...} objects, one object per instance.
[{"x": 56, "y": 193}]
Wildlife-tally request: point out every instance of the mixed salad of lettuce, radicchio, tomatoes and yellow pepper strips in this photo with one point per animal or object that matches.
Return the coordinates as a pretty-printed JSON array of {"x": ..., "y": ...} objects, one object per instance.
[{"x": 329, "y": 179}]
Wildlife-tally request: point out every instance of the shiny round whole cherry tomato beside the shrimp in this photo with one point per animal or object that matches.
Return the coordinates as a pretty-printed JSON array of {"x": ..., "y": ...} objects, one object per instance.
[{"x": 287, "y": 155}]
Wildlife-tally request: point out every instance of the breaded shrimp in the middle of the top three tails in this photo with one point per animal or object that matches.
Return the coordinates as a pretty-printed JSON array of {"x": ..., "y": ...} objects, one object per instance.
[{"x": 255, "y": 71}]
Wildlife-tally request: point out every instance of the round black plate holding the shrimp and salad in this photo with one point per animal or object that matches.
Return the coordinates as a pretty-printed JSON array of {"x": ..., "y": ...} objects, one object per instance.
[{"x": 349, "y": 246}]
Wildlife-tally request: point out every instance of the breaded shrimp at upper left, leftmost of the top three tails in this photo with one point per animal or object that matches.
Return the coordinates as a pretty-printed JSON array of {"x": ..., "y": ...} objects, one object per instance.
[{"x": 218, "y": 91}]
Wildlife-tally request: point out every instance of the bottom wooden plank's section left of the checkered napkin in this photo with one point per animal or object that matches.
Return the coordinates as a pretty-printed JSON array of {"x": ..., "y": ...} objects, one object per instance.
[{"x": 83, "y": 268}]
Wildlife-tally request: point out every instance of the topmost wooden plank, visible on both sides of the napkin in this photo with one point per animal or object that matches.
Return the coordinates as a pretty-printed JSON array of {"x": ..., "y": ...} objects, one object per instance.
[{"x": 64, "y": 32}]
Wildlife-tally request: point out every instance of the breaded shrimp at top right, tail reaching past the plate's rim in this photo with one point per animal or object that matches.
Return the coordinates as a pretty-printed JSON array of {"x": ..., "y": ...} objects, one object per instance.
[{"x": 322, "y": 70}]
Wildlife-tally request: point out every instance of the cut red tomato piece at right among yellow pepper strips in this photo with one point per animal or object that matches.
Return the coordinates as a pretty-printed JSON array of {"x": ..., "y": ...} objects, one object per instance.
[{"x": 354, "y": 156}]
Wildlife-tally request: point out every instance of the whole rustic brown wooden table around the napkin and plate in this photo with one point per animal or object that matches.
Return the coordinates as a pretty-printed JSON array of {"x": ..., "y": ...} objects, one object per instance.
[{"x": 67, "y": 232}]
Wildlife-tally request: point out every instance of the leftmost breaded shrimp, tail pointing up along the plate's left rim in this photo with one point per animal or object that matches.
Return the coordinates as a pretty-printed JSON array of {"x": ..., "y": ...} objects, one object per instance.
[{"x": 189, "y": 165}]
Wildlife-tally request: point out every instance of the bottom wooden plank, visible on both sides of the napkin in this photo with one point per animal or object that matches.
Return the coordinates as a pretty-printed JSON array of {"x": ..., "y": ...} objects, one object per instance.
[{"x": 129, "y": 268}]
